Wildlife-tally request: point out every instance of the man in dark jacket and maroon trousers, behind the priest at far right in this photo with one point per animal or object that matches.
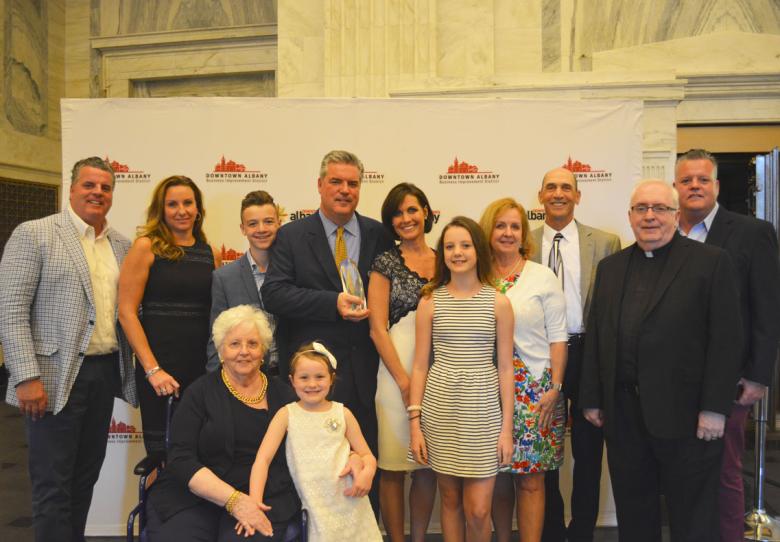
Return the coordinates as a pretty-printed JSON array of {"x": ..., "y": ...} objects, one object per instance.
[{"x": 752, "y": 245}]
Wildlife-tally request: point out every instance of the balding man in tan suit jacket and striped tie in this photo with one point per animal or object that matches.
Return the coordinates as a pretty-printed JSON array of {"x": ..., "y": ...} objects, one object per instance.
[{"x": 579, "y": 249}]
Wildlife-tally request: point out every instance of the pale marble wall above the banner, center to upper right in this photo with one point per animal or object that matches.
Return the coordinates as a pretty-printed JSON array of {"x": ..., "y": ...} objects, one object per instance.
[{"x": 692, "y": 61}]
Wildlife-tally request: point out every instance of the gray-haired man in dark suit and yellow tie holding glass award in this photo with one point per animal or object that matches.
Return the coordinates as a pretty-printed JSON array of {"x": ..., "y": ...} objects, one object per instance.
[{"x": 304, "y": 290}]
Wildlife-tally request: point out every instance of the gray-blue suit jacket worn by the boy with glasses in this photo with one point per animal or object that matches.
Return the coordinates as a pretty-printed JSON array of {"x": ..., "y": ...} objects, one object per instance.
[{"x": 231, "y": 285}]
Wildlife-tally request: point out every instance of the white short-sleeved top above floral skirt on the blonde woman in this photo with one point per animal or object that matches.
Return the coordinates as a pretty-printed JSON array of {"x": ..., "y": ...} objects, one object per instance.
[{"x": 540, "y": 316}]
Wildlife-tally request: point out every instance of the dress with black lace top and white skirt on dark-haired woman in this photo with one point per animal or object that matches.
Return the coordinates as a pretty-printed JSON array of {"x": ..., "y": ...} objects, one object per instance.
[{"x": 405, "y": 286}]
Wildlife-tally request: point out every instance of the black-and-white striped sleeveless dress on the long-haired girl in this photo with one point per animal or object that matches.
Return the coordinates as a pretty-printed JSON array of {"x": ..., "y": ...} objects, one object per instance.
[{"x": 461, "y": 416}]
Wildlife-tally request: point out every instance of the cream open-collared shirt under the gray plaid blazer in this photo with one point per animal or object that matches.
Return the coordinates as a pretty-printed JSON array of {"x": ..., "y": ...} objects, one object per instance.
[{"x": 104, "y": 276}]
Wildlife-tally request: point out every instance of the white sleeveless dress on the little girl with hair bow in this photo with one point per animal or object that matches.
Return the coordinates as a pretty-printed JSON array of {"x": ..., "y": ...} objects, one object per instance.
[{"x": 317, "y": 450}]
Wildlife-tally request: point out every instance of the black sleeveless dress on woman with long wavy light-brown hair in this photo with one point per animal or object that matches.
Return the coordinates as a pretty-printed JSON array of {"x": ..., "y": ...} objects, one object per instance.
[{"x": 175, "y": 312}]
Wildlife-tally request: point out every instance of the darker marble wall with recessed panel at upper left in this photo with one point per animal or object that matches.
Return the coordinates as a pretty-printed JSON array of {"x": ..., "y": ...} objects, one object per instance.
[{"x": 97, "y": 48}]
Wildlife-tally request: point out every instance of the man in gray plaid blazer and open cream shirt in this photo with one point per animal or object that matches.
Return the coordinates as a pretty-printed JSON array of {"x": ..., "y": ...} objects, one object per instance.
[{"x": 63, "y": 347}]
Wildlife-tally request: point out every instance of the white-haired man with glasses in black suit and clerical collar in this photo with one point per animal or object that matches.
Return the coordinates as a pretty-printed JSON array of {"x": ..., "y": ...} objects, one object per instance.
[{"x": 660, "y": 368}]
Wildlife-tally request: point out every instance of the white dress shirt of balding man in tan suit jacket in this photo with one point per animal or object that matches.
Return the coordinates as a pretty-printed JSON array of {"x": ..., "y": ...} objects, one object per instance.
[{"x": 570, "y": 254}]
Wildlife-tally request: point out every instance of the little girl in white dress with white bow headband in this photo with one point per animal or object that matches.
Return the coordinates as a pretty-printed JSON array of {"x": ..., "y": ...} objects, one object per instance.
[{"x": 320, "y": 434}]
